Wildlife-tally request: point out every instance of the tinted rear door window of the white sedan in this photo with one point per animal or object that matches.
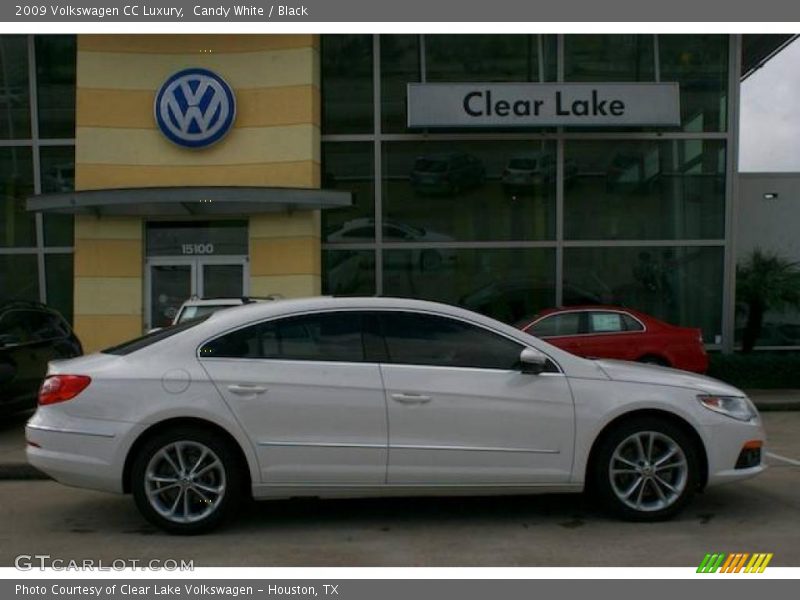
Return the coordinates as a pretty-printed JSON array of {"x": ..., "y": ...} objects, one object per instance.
[{"x": 321, "y": 337}]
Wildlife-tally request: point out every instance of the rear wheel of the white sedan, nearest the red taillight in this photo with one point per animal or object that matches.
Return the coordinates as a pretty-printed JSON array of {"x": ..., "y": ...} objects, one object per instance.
[{"x": 180, "y": 502}]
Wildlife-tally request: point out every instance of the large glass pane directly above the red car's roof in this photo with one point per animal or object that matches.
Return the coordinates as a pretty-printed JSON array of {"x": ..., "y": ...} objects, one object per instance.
[{"x": 680, "y": 285}]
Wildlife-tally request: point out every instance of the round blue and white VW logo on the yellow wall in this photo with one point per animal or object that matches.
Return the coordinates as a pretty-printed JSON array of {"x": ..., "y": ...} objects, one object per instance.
[{"x": 195, "y": 108}]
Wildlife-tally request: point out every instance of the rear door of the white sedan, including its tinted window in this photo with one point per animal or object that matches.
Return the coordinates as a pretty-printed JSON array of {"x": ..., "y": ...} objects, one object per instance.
[{"x": 301, "y": 388}]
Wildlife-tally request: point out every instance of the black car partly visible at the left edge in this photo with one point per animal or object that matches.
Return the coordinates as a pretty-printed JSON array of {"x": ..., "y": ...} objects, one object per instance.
[{"x": 31, "y": 334}]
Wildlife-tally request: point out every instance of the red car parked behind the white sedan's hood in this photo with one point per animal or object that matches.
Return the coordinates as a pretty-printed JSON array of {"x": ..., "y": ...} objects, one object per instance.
[{"x": 613, "y": 332}]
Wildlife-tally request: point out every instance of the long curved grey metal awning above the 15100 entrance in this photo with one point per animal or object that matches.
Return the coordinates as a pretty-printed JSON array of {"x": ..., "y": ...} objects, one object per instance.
[{"x": 188, "y": 201}]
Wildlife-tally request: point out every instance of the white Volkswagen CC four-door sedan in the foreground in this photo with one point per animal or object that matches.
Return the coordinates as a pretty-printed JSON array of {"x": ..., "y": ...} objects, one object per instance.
[{"x": 374, "y": 397}]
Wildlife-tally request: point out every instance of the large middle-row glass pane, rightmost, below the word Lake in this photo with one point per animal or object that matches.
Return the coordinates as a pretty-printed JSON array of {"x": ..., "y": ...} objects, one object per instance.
[{"x": 644, "y": 190}]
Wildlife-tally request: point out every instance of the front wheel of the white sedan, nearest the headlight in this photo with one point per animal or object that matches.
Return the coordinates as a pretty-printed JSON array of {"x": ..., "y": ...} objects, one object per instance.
[{"x": 627, "y": 478}]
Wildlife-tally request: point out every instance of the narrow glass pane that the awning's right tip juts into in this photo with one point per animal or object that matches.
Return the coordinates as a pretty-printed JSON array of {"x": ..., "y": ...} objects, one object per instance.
[{"x": 350, "y": 166}]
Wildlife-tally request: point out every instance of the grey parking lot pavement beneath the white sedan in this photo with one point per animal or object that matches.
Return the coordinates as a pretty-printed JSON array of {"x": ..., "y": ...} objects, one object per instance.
[{"x": 759, "y": 515}]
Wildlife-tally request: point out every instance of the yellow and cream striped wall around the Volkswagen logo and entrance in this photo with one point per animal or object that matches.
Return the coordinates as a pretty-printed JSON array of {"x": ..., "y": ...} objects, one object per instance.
[{"x": 274, "y": 142}]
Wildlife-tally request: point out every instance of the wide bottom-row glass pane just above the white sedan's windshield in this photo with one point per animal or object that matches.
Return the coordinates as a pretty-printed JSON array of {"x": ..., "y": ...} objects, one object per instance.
[{"x": 507, "y": 284}]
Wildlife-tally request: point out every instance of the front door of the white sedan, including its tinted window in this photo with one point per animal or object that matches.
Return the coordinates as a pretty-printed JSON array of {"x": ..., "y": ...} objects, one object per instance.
[{"x": 462, "y": 412}]
